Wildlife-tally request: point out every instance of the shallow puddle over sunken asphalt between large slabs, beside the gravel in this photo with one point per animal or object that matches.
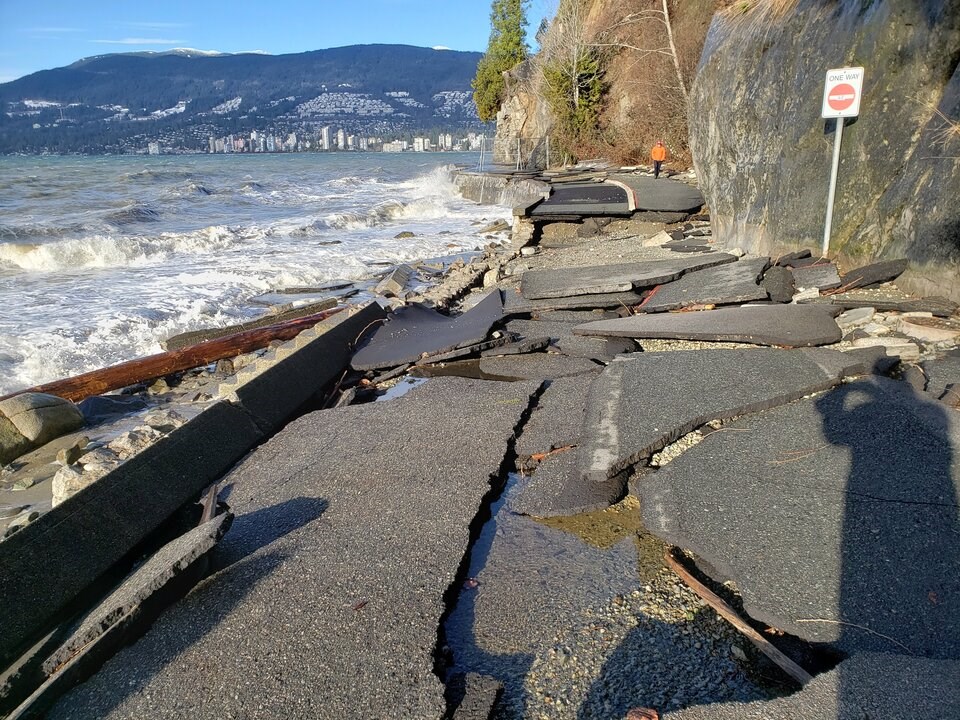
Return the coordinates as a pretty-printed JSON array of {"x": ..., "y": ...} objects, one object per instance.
[{"x": 527, "y": 581}]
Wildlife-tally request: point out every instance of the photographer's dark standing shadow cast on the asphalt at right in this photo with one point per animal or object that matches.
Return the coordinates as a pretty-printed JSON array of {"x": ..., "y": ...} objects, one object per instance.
[{"x": 900, "y": 537}]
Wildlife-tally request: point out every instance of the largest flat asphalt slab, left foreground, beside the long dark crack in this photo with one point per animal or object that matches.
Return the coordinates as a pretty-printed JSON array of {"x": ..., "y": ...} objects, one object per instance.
[{"x": 351, "y": 527}]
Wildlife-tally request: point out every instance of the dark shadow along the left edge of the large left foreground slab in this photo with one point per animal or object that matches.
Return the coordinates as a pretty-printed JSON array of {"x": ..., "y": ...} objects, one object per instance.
[{"x": 242, "y": 562}]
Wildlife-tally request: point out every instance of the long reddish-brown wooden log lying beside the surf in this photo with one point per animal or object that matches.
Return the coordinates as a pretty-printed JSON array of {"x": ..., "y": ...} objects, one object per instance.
[{"x": 154, "y": 366}]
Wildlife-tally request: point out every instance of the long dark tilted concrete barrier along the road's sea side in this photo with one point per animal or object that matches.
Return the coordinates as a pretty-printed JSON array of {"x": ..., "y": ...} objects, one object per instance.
[{"x": 45, "y": 566}]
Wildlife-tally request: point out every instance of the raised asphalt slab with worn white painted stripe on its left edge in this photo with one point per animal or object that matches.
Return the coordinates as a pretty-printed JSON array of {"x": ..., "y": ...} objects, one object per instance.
[{"x": 643, "y": 402}]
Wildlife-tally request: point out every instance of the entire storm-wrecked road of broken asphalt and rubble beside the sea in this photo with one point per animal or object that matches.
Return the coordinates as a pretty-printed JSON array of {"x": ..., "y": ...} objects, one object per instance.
[{"x": 469, "y": 498}]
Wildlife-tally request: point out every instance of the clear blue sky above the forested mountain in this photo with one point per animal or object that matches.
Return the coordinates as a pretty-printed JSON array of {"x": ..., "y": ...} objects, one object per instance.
[{"x": 44, "y": 34}]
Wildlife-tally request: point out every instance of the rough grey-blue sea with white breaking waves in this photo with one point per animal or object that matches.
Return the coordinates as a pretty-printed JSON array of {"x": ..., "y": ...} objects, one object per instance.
[{"x": 102, "y": 258}]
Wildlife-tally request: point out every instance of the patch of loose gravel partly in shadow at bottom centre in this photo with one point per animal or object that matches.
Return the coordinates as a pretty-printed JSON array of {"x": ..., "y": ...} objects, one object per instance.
[{"x": 659, "y": 647}]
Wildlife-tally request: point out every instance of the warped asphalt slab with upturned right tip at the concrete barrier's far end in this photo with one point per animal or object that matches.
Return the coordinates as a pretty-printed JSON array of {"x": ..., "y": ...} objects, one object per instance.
[{"x": 415, "y": 330}]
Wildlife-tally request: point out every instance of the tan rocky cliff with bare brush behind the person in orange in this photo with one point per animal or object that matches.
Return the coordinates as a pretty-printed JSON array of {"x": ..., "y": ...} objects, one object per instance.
[{"x": 643, "y": 99}]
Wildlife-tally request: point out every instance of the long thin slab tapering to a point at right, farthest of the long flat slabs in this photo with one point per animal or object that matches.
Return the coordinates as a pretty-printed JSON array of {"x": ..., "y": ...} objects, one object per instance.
[{"x": 601, "y": 279}]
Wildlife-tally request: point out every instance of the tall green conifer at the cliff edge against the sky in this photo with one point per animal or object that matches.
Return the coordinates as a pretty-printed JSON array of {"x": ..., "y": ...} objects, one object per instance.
[{"x": 507, "y": 49}]
